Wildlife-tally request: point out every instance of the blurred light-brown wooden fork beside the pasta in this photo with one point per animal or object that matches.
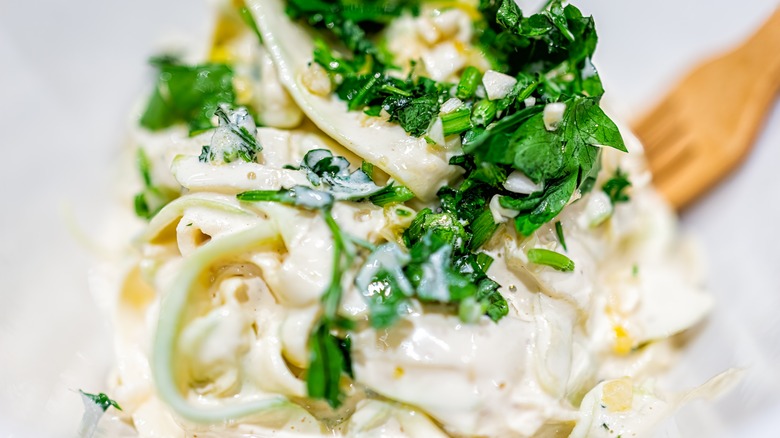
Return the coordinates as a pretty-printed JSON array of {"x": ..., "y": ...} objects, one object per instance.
[{"x": 707, "y": 124}]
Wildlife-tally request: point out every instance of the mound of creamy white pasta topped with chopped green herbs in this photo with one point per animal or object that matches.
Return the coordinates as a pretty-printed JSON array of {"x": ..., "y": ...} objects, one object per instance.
[{"x": 312, "y": 268}]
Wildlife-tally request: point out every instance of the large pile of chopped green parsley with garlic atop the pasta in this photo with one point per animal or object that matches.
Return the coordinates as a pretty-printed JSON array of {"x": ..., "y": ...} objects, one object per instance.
[{"x": 547, "y": 53}]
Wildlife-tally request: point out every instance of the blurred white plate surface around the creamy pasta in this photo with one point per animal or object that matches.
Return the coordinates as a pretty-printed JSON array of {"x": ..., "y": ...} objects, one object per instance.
[{"x": 71, "y": 71}]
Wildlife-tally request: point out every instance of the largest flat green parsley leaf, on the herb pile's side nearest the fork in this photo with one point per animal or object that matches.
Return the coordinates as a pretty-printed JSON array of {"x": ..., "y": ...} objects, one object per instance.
[{"x": 561, "y": 159}]
